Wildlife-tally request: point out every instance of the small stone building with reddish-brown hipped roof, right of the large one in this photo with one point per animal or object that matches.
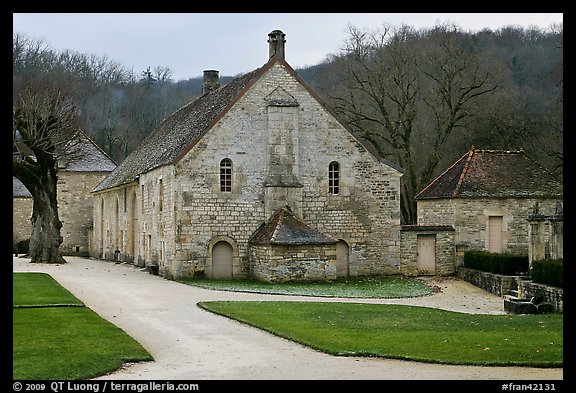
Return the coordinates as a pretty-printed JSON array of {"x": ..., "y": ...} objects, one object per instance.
[{"x": 487, "y": 197}]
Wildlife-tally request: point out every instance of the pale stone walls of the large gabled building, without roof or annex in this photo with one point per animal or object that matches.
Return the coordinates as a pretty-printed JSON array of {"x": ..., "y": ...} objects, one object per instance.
[{"x": 280, "y": 140}]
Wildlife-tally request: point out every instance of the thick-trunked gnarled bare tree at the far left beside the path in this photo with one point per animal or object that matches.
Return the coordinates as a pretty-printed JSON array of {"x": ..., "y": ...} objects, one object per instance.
[{"x": 43, "y": 133}]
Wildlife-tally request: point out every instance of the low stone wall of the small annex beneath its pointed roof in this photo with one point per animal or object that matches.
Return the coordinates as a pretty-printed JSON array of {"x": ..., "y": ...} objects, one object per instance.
[{"x": 294, "y": 263}]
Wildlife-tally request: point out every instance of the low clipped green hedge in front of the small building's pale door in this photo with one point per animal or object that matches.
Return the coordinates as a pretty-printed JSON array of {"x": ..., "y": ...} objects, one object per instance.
[{"x": 507, "y": 264}]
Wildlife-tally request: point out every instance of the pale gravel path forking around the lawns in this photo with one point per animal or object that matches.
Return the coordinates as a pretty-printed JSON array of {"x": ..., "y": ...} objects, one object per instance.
[{"x": 189, "y": 343}]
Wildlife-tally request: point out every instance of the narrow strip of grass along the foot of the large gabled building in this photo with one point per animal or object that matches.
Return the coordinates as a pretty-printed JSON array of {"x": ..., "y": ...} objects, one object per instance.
[{"x": 349, "y": 287}]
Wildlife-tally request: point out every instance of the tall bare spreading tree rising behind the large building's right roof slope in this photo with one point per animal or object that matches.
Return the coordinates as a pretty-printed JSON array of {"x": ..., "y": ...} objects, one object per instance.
[{"x": 406, "y": 92}]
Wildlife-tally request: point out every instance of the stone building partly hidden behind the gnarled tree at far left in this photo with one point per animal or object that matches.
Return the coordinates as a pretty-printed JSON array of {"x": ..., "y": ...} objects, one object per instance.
[{"x": 76, "y": 179}]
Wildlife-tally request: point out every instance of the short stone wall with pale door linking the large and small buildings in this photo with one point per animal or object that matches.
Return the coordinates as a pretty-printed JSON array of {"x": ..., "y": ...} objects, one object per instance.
[{"x": 445, "y": 263}]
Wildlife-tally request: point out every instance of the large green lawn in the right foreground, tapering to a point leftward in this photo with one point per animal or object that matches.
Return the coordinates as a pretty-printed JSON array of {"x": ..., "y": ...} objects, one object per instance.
[{"x": 407, "y": 332}]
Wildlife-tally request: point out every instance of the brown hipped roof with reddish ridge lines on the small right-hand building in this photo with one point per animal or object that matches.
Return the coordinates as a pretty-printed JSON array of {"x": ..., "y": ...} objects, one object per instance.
[{"x": 494, "y": 173}]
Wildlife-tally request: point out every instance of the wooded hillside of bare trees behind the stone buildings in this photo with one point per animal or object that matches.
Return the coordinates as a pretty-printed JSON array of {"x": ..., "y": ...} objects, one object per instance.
[{"x": 421, "y": 97}]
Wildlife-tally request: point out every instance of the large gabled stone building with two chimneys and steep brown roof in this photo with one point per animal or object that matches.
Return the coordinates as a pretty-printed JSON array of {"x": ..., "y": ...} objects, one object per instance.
[{"x": 246, "y": 177}]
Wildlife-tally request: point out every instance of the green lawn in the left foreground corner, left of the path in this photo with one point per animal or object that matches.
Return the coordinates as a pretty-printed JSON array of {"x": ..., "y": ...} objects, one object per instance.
[{"x": 55, "y": 337}]
